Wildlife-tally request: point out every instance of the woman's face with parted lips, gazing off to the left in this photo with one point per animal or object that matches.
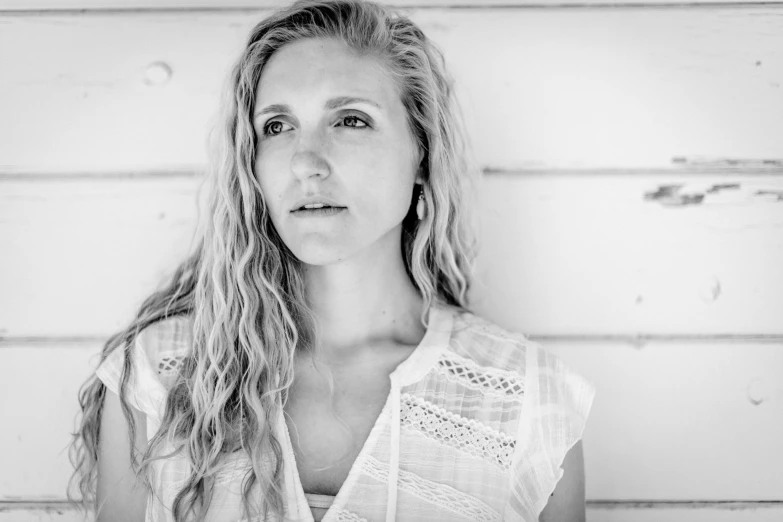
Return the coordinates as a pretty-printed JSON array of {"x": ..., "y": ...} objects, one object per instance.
[{"x": 358, "y": 154}]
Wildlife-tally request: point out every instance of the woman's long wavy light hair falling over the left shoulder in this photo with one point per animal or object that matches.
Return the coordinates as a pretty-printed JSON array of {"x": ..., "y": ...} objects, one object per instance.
[{"x": 244, "y": 289}]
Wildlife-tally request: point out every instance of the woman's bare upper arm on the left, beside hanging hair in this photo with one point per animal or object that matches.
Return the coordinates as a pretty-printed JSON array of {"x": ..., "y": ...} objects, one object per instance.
[{"x": 120, "y": 493}]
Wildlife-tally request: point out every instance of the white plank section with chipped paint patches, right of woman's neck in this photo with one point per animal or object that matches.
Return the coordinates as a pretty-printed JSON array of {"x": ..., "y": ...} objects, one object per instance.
[{"x": 634, "y": 255}]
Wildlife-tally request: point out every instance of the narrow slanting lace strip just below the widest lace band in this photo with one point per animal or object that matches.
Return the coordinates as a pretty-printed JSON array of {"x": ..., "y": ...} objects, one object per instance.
[{"x": 439, "y": 494}]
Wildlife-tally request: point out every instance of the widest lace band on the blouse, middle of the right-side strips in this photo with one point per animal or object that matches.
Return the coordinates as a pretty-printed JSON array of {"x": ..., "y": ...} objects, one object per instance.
[{"x": 466, "y": 434}]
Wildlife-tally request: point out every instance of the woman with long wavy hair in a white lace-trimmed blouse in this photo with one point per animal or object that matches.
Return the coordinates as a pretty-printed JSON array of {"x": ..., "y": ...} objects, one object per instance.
[{"x": 315, "y": 358}]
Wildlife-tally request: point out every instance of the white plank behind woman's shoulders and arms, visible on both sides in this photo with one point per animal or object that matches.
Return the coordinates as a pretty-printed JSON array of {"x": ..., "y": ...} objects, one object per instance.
[{"x": 667, "y": 423}]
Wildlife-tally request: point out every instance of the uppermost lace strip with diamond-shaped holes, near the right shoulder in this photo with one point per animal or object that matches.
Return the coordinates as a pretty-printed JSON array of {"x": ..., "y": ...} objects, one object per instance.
[{"x": 491, "y": 381}]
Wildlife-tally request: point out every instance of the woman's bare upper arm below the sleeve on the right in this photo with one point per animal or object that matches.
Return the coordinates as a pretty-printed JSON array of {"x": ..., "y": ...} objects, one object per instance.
[{"x": 567, "y": 503}]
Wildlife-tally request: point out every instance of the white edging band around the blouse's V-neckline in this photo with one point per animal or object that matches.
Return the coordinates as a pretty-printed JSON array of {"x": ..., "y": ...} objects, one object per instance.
[{"x": 411, "y": 369}]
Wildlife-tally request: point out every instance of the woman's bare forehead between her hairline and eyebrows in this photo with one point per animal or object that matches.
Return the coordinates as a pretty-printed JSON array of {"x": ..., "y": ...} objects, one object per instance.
[{"x": 300, "y": 68}]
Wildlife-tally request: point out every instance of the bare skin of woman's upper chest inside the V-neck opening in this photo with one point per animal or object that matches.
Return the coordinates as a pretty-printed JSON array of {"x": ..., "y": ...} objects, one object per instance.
[{"x": 329, "y": 429}]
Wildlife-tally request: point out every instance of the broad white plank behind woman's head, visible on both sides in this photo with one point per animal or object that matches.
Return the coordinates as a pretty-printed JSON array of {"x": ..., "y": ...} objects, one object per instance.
[{"x": 570, "y": 88}]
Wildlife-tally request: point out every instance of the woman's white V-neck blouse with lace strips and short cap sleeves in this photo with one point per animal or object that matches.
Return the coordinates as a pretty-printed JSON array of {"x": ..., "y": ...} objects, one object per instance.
[{"x": 475, "y": 427}]
